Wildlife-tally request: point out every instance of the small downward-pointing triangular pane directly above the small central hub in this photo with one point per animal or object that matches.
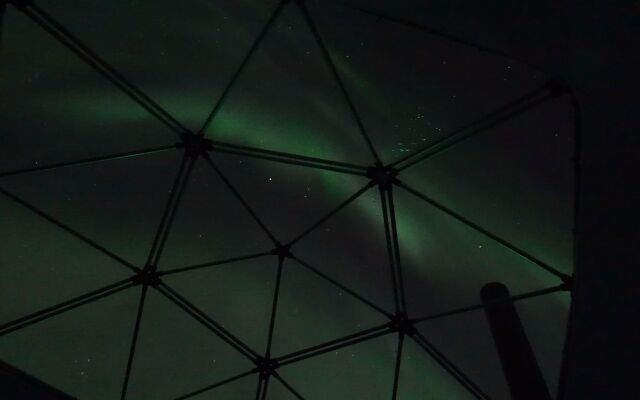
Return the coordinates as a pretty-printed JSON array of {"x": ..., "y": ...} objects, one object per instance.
[{"x": 288, "y": 199}]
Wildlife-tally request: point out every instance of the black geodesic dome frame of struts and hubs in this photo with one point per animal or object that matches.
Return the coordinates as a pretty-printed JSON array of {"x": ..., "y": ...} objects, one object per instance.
[{"x": 386, "y": 178}]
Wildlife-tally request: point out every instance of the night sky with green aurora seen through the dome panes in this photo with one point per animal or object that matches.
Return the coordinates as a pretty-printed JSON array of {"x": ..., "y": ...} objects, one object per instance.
[{"x": 410, "y": 89}]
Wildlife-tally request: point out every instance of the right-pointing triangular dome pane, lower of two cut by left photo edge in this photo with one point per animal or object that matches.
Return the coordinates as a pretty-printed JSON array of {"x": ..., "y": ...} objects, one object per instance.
[{"x": 42, "y": 265}]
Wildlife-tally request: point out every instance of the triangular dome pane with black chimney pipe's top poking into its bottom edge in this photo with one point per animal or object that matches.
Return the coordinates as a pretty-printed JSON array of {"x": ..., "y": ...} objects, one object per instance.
[{"x": 446, "y": 263}]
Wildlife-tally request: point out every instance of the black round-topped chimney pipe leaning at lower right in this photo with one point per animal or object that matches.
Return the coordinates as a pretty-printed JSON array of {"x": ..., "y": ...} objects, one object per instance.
[{"x": 516, "y": 356}]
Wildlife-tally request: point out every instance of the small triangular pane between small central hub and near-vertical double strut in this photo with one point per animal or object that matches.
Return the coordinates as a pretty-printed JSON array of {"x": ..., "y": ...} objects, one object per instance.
[{"x": 351, "y": 248}]
